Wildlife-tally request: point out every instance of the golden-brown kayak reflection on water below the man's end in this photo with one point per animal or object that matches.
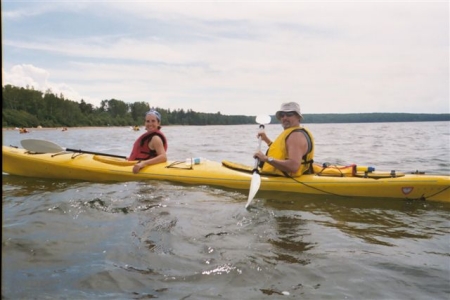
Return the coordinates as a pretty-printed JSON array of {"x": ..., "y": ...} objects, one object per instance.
[{"x": 371, "y": 219}]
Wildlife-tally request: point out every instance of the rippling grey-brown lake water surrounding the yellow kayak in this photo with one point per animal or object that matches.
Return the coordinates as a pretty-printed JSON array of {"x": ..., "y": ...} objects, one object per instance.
[{"x": 146, "y": 240}]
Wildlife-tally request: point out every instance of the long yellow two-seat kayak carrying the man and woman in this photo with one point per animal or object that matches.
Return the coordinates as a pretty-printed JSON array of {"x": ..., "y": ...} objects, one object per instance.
[{"x": 100, "y": 168}]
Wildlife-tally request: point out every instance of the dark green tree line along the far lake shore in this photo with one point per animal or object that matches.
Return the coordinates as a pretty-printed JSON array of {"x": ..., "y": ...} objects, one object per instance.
[{"x": 26, "y": 107}]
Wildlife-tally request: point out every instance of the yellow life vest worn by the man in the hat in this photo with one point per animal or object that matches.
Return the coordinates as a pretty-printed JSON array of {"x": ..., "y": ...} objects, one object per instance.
[{"x": 278, "y": 150}]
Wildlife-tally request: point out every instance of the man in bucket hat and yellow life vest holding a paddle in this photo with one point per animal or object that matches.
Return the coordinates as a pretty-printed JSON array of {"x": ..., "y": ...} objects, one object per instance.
[{"x": 292, "y": 152}]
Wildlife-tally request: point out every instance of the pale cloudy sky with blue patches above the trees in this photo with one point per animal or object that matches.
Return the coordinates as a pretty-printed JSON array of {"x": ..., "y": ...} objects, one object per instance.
[{"x": 234, "y": 57}]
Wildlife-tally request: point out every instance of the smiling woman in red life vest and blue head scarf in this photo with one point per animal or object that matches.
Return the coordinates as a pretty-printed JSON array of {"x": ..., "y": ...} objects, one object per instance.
[{"x": 150, "y": 148}]
